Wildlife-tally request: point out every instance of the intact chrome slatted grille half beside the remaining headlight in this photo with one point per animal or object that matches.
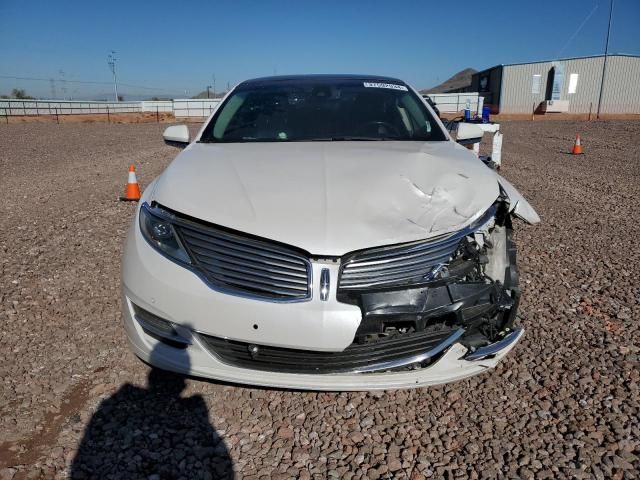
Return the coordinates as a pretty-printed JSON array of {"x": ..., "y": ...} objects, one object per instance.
[{"x": 246, "y": 266}]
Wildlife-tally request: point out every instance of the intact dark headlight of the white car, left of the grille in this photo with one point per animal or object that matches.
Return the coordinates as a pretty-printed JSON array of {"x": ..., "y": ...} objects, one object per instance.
[{"x": 156, "y": 228}]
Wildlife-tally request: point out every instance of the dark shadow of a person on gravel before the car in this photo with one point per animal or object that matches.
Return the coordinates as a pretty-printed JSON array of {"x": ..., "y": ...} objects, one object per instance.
[{"x": 152, "y": 433}]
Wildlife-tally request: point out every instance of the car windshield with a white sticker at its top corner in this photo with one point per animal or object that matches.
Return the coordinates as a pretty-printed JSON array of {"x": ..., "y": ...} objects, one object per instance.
[{"x": 322, "y": 110}]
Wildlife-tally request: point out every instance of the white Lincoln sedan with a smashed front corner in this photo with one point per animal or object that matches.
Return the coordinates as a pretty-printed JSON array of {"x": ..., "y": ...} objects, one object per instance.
[{"x": 324, "y": 232}]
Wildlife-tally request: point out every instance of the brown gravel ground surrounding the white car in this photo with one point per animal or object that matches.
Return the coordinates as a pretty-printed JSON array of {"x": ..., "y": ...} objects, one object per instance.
[{"x": 73, "y": 399}]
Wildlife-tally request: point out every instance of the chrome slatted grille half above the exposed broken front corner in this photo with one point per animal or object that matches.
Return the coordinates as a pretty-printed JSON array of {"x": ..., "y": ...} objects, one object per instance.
[{"x": 408, "y": 263}]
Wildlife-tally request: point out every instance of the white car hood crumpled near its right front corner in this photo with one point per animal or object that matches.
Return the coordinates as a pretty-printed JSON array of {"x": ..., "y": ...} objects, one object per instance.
[{"x": 330, "y": 198}]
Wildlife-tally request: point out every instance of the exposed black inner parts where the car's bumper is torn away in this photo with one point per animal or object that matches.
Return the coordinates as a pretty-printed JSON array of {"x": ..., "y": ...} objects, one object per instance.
[{"x": 477, "y": 289}]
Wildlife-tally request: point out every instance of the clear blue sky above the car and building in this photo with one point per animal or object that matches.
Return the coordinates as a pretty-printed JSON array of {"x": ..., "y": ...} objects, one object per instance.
[{"x": 179, "y": 46}]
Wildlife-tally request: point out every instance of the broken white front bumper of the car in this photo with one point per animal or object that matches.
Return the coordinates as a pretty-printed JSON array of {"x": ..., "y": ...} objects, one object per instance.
[{"x": 179, "y": 296}]
